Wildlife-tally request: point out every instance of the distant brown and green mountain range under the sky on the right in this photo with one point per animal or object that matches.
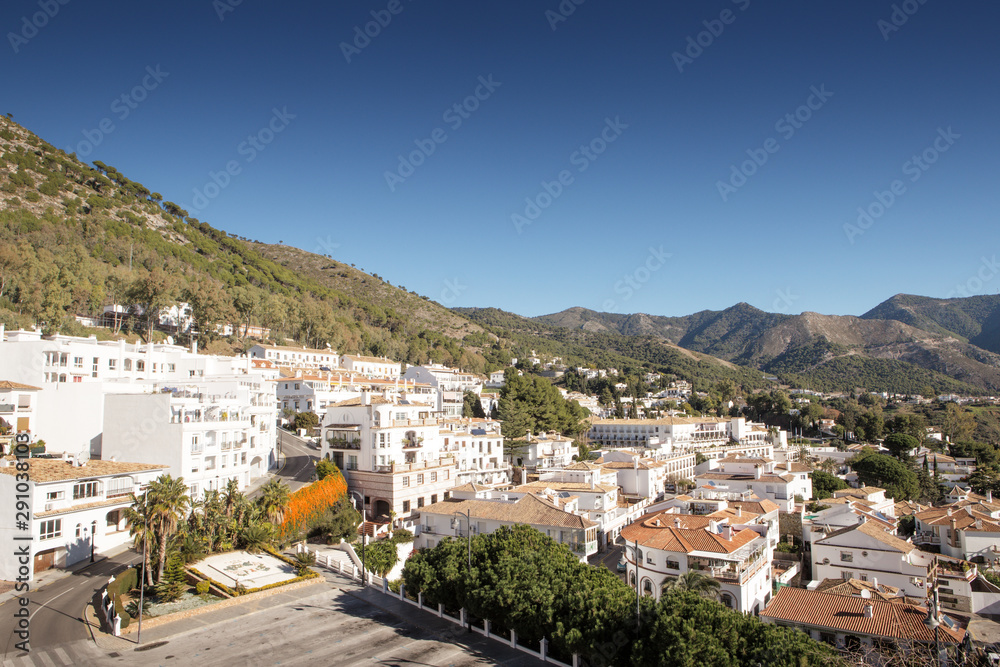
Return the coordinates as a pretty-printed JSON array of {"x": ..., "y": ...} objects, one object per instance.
[{"x": 919, "y": 339}]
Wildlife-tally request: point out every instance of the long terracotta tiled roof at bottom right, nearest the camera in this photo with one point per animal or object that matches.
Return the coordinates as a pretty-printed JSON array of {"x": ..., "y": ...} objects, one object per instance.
[{"x": 846, "y": 613}]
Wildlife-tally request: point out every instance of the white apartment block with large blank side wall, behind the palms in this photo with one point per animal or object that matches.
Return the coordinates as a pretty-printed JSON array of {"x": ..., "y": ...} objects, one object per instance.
[{"x": 207, "y": 432}]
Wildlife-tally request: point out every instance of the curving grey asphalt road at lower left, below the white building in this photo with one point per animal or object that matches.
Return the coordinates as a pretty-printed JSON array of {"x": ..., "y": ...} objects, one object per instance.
[{"x": 57, "y": 608}]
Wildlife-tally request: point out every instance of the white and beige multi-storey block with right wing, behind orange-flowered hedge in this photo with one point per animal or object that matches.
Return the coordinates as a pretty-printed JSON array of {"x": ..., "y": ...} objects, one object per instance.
[{"x": 393, "y": 454}]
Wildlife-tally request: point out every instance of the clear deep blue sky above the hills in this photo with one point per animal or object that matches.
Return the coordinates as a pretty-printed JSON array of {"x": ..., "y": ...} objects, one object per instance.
[{"x": 597, "y": 158}]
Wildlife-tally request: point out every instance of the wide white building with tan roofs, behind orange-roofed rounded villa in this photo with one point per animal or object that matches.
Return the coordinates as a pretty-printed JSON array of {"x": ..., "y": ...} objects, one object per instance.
[{"x": 758, "y": 475}]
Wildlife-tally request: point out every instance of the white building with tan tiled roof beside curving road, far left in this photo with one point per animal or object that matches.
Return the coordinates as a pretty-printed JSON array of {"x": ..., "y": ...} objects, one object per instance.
[{"x": 76, "y": 508}]
